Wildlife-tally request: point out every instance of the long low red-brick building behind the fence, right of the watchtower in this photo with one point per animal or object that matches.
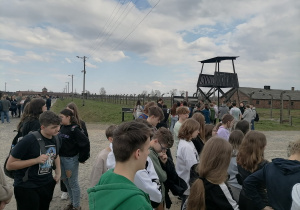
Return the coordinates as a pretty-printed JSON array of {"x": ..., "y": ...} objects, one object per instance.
[{"x": 263, "y": 97}]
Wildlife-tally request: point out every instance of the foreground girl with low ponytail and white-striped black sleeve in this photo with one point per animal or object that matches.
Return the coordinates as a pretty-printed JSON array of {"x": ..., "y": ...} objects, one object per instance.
[{"x": 209, "y": 192}]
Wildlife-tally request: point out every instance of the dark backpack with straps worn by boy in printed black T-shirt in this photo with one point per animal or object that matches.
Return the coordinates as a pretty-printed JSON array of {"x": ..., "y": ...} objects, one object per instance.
[{"x": 41, "y": 142}]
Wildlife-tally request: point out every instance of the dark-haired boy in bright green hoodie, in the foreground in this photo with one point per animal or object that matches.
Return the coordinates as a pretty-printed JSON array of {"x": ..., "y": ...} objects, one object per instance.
[{"x": 116, "y": 189}]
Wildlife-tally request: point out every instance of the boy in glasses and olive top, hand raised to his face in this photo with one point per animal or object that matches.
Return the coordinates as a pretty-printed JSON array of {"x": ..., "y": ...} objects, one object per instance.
[{"x": 161, "y": 141}]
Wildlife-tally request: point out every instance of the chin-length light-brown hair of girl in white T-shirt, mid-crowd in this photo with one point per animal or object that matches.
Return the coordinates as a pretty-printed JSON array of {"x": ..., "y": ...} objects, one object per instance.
[{"x": 187, "y": 128}]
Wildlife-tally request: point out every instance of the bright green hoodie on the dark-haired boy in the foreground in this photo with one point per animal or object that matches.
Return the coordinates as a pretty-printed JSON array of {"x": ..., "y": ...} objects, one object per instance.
[{"x": 117, "y": 192}]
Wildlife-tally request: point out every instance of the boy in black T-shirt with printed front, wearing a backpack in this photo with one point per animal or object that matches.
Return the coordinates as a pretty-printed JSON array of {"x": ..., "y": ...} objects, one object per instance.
[{"x": 36, "y": 192}]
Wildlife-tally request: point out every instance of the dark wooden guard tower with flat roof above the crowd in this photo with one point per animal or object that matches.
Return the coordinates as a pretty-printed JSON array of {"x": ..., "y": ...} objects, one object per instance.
[{"x": 218, "y": 80}]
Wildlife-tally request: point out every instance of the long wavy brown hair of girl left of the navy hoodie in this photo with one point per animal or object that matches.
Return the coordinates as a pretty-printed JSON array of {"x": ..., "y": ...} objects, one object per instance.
[{"x": 251, "y": 151}]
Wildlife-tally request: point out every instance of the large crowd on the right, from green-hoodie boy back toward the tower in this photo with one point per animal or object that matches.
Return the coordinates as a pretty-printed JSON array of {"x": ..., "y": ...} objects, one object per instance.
[{"x": 219, "y": 165}]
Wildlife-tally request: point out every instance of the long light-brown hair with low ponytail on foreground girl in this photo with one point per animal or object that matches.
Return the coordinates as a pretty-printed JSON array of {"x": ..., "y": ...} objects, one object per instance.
[{"x": 215, "y": 159}]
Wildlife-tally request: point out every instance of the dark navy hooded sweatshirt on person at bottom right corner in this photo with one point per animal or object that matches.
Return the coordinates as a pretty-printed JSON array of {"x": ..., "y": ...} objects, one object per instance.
[{"x": 279, "y": 177}]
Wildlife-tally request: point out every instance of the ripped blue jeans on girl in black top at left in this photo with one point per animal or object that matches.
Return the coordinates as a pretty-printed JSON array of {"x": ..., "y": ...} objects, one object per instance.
[{"x": 69, "y": 175}]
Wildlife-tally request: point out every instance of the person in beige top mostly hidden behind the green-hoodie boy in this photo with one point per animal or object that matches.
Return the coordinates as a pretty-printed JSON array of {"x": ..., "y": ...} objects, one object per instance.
[{"x": 100, "y": 167}]
